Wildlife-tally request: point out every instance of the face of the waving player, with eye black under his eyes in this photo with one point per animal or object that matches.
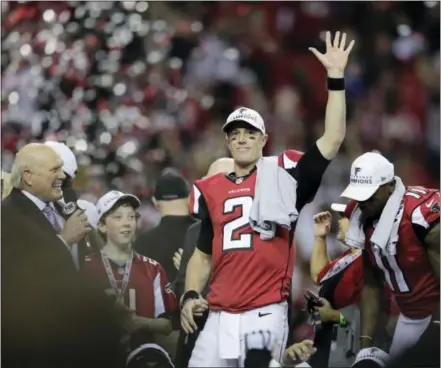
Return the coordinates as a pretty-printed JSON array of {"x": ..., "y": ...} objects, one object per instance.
[{"x": 245, "y": 143}]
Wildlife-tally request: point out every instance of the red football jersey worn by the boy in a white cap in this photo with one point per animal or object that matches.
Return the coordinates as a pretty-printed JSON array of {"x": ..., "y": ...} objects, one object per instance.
[{"x": 148, "y": 285}]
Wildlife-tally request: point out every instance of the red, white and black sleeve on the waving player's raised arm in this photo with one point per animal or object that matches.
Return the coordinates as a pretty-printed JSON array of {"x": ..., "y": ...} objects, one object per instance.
[{"x": 307, "y": 169}]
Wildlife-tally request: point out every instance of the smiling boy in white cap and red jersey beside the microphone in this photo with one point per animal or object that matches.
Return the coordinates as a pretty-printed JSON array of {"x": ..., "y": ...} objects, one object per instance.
[{"x": 138, "y": 283}]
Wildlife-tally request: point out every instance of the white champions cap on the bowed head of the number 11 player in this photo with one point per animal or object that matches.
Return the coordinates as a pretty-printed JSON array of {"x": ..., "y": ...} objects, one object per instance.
[{"x": 368, "y": 173}]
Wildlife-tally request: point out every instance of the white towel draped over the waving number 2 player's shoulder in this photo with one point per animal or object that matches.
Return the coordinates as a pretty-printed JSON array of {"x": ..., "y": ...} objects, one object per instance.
[{"x": 275, "y": 198}]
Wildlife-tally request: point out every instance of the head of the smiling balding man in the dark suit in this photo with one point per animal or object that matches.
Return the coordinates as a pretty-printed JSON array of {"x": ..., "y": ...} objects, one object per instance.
[{"x": 45, "y": 177}]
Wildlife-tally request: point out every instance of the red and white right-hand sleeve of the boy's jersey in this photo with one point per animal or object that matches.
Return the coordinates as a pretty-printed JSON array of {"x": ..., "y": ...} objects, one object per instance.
[{"x": 165, "y": 299}]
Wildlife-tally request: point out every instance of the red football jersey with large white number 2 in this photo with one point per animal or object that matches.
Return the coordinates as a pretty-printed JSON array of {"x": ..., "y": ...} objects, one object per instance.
[{"x": 248, "y": 272}]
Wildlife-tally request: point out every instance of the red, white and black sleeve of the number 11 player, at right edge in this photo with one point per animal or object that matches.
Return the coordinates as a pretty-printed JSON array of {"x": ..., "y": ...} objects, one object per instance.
[{"x": 426, "y": 214}]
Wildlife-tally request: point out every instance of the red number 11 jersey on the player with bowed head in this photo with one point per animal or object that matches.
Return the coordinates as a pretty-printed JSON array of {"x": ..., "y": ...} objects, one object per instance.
[{"x": 409, "y": 273}]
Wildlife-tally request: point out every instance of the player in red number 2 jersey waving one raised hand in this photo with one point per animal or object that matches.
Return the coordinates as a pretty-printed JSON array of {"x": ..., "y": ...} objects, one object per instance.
[{"x": 250, "y": 278}]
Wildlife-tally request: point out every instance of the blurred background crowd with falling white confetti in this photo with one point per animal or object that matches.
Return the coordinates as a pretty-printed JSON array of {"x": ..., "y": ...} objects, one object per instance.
[{"x": 134, "y": 87}]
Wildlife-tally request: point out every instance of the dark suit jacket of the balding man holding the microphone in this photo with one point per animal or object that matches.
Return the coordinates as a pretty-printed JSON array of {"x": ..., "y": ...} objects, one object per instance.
[{"x": 51, "y": 315}]
